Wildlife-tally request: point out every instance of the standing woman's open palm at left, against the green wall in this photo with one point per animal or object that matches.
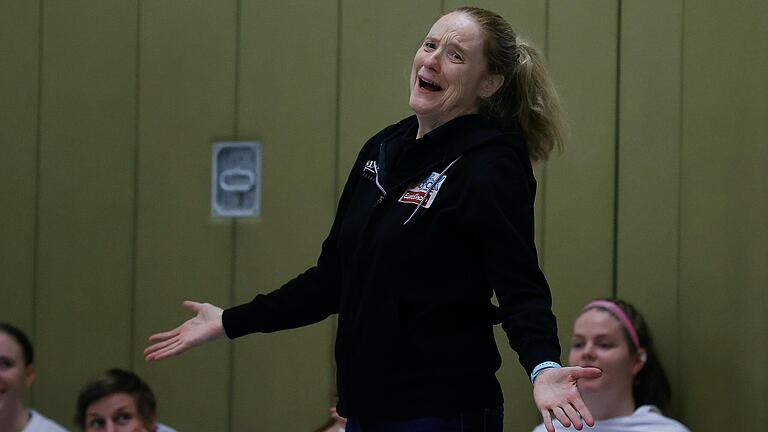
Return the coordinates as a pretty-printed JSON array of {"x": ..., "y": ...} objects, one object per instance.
[{"x": 203, "y": 327}]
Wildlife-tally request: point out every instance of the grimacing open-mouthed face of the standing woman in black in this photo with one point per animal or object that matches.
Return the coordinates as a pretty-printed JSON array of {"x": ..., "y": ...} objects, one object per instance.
[{"x": 449, "y": 71}]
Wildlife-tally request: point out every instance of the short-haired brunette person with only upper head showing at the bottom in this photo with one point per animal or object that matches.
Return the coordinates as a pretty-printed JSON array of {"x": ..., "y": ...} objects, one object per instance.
[{"x": 119, "y": 401}]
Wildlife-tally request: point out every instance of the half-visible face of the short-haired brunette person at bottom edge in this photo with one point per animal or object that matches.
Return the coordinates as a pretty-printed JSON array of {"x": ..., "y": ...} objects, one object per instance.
[{"x": 114, "y": 413}]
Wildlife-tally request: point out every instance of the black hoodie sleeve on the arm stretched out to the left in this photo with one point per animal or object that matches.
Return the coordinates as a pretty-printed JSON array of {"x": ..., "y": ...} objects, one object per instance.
[{"x": 308, "y": 298}]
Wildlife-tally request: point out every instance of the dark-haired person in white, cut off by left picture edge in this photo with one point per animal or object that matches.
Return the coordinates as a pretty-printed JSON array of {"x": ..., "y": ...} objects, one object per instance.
[{"x": 17, "y": 372}]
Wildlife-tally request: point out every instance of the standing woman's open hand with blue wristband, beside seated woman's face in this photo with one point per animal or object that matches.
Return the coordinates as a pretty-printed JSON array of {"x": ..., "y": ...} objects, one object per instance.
[{"x": 555, "y": 393}]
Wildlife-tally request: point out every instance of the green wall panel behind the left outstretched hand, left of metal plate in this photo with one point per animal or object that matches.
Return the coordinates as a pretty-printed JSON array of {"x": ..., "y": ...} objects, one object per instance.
[{"x": 186, "y": 101}]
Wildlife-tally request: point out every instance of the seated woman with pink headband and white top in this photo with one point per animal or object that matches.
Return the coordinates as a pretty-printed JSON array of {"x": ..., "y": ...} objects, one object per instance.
[{"x": 629, "y": 395}]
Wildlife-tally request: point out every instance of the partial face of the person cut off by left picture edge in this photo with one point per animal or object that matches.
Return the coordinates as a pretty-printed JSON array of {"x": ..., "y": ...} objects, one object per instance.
[{"x": 15, "y": 376}]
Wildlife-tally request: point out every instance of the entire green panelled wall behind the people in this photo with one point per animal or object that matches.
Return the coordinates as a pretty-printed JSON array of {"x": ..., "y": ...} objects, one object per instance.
[{"x": 107, "y": 114}]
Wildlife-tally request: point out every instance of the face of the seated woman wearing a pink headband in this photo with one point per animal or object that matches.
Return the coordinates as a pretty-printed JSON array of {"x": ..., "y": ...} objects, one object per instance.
[{"x": 598, "y": 341}]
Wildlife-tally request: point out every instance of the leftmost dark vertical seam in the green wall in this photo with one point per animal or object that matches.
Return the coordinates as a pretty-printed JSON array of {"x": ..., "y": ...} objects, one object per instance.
[{"x": 38, "y": 163}]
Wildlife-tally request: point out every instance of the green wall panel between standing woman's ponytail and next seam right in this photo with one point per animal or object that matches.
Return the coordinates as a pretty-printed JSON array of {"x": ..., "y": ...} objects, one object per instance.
[{"x": 579, "y": 218}]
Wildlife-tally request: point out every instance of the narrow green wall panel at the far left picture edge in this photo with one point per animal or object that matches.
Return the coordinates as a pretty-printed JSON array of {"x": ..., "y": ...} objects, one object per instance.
[{"x": 19, "y": 51}]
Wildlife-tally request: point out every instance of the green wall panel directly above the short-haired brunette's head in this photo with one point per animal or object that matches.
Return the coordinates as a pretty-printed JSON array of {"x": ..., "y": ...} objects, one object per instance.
[{"x": 86, "y": 196}]
